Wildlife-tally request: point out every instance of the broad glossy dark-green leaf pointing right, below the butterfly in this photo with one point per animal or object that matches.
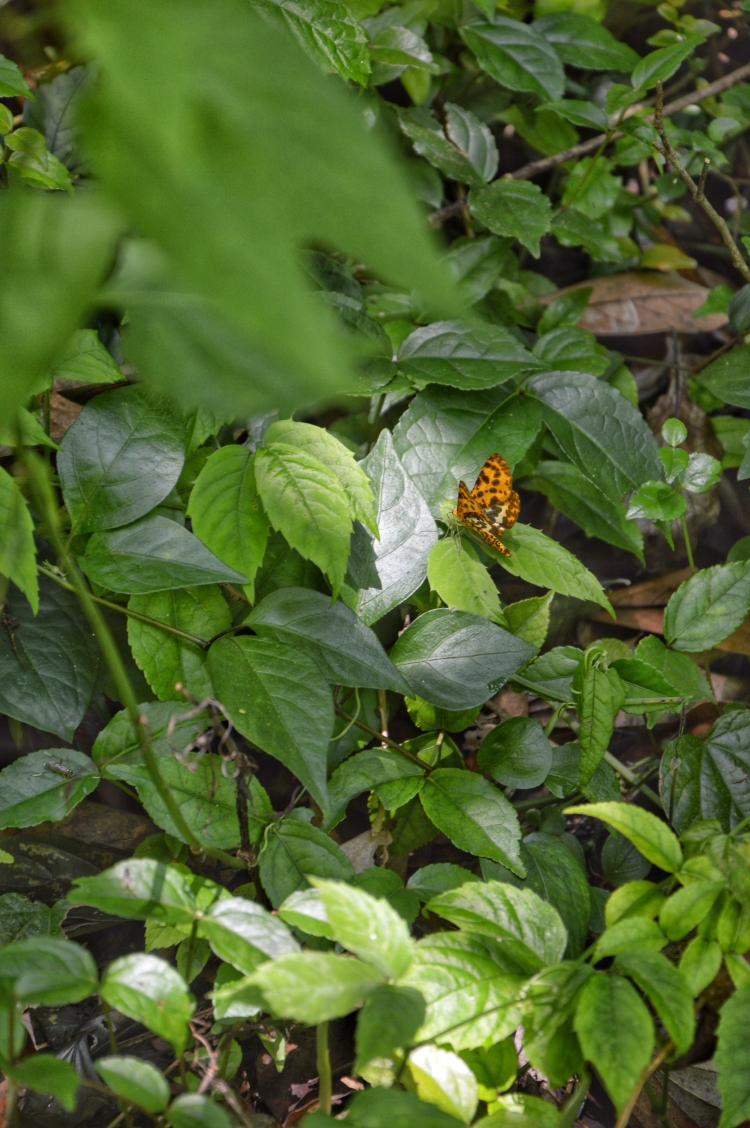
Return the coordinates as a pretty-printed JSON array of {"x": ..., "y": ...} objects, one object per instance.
[{"x": 456, "y": 660}]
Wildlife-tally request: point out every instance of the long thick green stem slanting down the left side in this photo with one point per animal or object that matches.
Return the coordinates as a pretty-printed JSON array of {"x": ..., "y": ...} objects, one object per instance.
[{"x": 47, "y": 503}]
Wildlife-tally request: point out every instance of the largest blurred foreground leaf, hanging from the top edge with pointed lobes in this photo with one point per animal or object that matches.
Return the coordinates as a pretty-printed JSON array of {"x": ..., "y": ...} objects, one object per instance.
[{"x": 281, "y": 124}]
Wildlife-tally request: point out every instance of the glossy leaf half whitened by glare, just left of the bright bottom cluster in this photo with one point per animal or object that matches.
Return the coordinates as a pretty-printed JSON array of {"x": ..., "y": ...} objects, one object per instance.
[{"x": 245, "y": 935}]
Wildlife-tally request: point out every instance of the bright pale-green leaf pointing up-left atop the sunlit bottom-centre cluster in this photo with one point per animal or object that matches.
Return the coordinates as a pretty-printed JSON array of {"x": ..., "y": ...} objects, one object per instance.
[{"x": 367, "y": 927}]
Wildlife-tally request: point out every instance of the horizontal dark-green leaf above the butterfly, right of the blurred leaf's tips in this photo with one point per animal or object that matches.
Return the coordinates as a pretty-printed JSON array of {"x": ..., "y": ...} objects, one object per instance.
[{"x": 464, "y": 356}]
